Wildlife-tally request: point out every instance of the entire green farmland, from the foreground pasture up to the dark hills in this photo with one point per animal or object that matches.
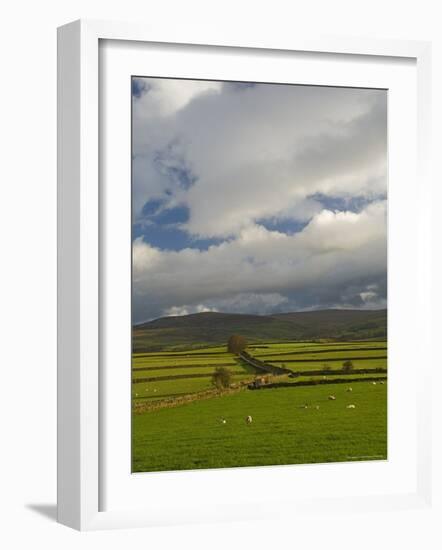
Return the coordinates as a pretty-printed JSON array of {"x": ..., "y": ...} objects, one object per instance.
[{"x": 292, "y": 422}]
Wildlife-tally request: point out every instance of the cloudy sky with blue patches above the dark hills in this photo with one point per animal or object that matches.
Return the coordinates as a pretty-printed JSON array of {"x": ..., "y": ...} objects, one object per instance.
[{"x": 257, "y": 198}]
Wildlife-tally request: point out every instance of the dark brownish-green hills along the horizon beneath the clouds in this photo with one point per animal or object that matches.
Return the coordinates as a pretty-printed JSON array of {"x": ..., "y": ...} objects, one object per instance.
[{"x": 211, "y": 328}]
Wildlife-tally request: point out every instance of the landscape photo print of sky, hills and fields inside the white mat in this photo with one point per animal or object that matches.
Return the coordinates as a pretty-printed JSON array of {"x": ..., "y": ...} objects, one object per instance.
[{"x": 259, "y": 274}]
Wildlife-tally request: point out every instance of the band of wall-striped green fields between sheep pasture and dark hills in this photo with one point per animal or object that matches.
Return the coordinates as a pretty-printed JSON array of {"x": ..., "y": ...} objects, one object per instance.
[{"x": 192, "y": 369}]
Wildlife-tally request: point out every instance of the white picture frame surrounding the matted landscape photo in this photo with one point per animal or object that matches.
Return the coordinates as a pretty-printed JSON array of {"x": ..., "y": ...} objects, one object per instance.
[{"x": 79, "y": 271}]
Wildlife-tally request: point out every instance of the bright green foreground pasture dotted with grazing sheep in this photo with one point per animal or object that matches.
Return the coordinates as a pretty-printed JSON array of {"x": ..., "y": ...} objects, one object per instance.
[{"x": 192, "y": 436}]
